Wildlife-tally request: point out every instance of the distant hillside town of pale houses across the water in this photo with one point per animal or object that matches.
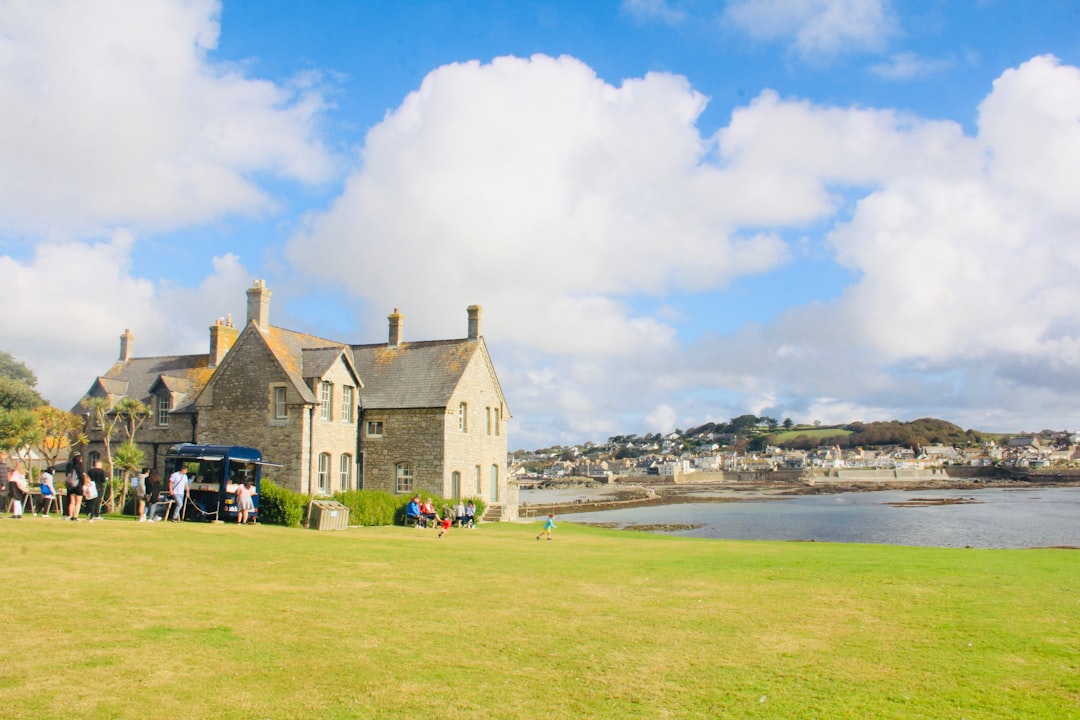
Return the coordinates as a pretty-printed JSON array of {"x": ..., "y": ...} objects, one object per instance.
[{"x": 753, "y": 444}]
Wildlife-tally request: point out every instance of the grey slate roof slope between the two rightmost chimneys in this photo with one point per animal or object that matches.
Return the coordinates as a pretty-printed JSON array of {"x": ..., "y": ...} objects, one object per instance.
[{"x": 413, "y": 375}]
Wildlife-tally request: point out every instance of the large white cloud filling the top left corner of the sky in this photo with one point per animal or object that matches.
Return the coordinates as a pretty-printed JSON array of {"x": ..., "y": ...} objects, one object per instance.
[{"x": 117, "y": 116}]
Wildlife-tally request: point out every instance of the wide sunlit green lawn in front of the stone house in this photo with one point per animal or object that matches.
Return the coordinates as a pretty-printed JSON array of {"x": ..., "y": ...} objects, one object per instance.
[{"x": 126, "y": 620}]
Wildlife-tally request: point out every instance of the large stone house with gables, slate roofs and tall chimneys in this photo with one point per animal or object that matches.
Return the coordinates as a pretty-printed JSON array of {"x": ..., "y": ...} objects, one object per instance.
[{"x": 424, "y": 417}]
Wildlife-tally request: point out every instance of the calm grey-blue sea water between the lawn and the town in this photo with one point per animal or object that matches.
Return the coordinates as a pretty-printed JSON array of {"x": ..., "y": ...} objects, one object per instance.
[{"x": 997, "y": 518}]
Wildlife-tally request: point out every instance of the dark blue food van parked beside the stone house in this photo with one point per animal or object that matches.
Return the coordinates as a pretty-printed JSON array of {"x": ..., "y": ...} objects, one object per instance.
[{"x": 214, "y": 473}]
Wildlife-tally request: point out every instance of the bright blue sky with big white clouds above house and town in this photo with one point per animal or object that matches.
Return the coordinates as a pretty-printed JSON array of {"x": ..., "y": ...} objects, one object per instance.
[{"x": 671, "y": 212}]
